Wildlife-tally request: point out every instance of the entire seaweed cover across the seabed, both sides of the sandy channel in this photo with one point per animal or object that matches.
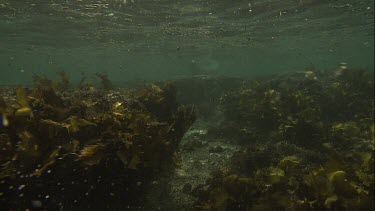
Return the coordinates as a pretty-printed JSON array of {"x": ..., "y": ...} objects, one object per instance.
[{"x": 306, "y": 142}]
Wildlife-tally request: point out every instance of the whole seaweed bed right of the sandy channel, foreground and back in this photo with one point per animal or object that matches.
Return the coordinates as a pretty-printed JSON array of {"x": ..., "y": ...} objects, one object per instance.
[{"x": 308, "y": 144}]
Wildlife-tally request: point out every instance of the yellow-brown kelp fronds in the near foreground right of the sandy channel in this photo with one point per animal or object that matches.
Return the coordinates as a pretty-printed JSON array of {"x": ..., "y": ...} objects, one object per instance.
[{"x": 291, "y": 186}]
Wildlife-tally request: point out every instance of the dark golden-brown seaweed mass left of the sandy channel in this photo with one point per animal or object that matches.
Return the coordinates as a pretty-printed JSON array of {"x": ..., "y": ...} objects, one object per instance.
[{"x": 89, "y": 148}]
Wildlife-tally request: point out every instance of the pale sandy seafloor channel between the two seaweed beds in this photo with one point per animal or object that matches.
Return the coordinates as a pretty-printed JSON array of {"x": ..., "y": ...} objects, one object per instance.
[{"x": 196, "y": 166}]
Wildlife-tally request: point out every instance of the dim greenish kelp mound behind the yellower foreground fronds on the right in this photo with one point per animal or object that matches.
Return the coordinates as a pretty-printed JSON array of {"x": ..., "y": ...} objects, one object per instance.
[{"x": 290, "y": 107}]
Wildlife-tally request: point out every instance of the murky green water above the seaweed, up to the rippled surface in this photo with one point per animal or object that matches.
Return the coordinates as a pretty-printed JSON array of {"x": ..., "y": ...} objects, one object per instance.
[{"x": 166, "y": 39}]
